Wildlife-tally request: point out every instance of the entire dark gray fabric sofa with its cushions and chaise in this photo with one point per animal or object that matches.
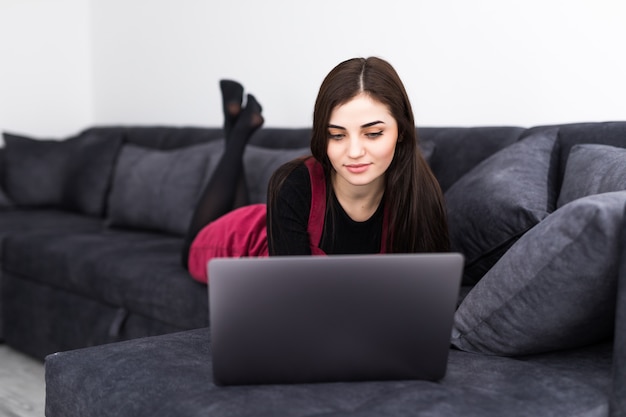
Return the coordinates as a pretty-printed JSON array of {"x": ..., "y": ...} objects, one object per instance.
[{"x": 538, "y": 214}]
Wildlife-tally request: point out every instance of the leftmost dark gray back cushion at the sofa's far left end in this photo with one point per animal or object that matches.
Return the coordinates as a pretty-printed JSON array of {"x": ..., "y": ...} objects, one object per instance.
[{"x": 72, "y": 174}]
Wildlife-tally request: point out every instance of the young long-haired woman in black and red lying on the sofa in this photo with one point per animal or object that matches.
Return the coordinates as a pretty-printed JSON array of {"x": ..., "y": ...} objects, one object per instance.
[{"x": 365, "y": 189}]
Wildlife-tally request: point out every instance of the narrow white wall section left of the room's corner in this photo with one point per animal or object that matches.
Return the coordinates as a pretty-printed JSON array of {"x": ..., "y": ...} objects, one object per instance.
[{"x": 45, "y": 67}]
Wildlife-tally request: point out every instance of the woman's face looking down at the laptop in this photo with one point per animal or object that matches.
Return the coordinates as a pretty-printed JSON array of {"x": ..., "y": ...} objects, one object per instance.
[{"x": 362, "y": 141}]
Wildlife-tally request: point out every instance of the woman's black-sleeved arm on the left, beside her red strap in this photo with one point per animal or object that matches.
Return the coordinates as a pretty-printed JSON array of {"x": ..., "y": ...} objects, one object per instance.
[{"x": 288, "y": 212}]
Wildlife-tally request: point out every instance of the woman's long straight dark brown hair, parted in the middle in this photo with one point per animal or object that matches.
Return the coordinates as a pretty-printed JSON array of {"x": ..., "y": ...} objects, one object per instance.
[{"x": 413, "y": 198}]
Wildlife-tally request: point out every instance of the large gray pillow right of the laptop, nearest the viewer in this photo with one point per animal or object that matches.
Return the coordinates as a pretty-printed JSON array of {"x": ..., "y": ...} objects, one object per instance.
[{"x": 554, "y": 289}]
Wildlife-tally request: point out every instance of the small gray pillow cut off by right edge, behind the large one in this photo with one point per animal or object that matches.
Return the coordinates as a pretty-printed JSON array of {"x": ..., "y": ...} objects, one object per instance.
[{"x": 593, "y": 169}]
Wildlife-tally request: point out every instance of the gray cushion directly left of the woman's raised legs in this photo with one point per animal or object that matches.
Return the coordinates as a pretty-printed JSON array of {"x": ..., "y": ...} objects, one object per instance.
[{"x": 158, "y": 189}]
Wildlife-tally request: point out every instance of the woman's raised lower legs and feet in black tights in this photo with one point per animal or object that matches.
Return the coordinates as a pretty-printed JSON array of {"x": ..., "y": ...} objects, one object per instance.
[{"x": 226, "y": 190}]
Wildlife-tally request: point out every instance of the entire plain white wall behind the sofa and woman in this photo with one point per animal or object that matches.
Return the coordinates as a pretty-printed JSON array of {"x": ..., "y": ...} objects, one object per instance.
[{"x": 523, "y": 62}]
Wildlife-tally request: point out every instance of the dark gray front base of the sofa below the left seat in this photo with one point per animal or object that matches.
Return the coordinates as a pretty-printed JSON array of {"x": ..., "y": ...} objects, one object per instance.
[{"x": 59, "y": 320}]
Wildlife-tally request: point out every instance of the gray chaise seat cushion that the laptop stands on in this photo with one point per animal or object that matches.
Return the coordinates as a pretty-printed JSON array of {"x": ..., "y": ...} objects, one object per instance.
[{"x": 172, "y": 375}]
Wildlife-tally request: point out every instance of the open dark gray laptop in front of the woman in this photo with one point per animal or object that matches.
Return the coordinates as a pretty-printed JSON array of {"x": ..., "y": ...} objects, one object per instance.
[{"x": 305, "y": 319}]
